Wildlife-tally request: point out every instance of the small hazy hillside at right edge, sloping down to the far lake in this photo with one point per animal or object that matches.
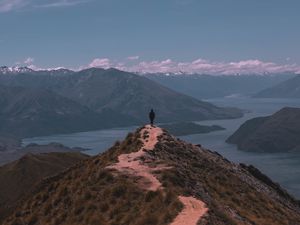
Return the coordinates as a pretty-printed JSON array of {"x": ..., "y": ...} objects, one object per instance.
[{"x": 286, "y": 89}]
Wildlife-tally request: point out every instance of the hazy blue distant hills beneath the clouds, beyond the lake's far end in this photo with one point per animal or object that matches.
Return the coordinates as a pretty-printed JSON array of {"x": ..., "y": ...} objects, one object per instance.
[{"x": 207, "y": 86}]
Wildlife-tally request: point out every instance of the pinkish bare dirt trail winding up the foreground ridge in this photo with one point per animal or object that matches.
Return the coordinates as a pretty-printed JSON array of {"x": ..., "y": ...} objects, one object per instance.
[{"x": 133, "y": 164}]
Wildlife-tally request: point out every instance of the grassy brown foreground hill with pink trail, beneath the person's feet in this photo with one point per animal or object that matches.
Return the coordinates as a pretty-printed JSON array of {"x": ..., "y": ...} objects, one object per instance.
[{"x": 154, "y": 178}]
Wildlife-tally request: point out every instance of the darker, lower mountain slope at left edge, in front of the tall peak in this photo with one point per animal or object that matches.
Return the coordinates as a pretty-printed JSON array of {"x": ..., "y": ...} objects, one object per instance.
[{"x": 26, "y": 112}]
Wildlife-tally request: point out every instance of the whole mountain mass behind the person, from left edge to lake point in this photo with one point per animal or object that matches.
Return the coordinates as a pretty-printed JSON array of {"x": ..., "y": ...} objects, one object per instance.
[{"x": 61, "y": 101}]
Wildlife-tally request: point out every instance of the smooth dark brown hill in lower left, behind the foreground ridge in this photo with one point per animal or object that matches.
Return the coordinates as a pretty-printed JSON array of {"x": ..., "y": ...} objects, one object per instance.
[{"x": 18, "y": 178}]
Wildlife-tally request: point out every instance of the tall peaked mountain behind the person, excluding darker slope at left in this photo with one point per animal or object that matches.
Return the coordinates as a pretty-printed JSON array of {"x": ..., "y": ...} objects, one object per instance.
[{"x": 121, "y": 93}]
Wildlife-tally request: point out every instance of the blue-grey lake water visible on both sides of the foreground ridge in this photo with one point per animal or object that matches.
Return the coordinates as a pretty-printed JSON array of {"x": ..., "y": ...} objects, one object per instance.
[{"x": 283, "y": 168}]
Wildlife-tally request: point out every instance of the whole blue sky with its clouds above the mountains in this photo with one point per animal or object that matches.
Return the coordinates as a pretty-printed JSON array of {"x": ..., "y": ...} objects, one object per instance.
[{"x": 152, "y": 35}]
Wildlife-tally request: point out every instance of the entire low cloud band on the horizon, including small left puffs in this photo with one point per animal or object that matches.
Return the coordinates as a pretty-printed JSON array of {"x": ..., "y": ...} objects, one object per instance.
[{"x": 199, "y": 66}]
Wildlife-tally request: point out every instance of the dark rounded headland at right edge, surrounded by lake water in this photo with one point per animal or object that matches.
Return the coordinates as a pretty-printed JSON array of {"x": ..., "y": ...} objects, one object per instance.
[{"x": 277, "y": 133}]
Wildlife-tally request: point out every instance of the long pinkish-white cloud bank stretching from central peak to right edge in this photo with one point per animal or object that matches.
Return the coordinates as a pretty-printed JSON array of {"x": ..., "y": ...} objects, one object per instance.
[{"x": 199, "y": 66}]
